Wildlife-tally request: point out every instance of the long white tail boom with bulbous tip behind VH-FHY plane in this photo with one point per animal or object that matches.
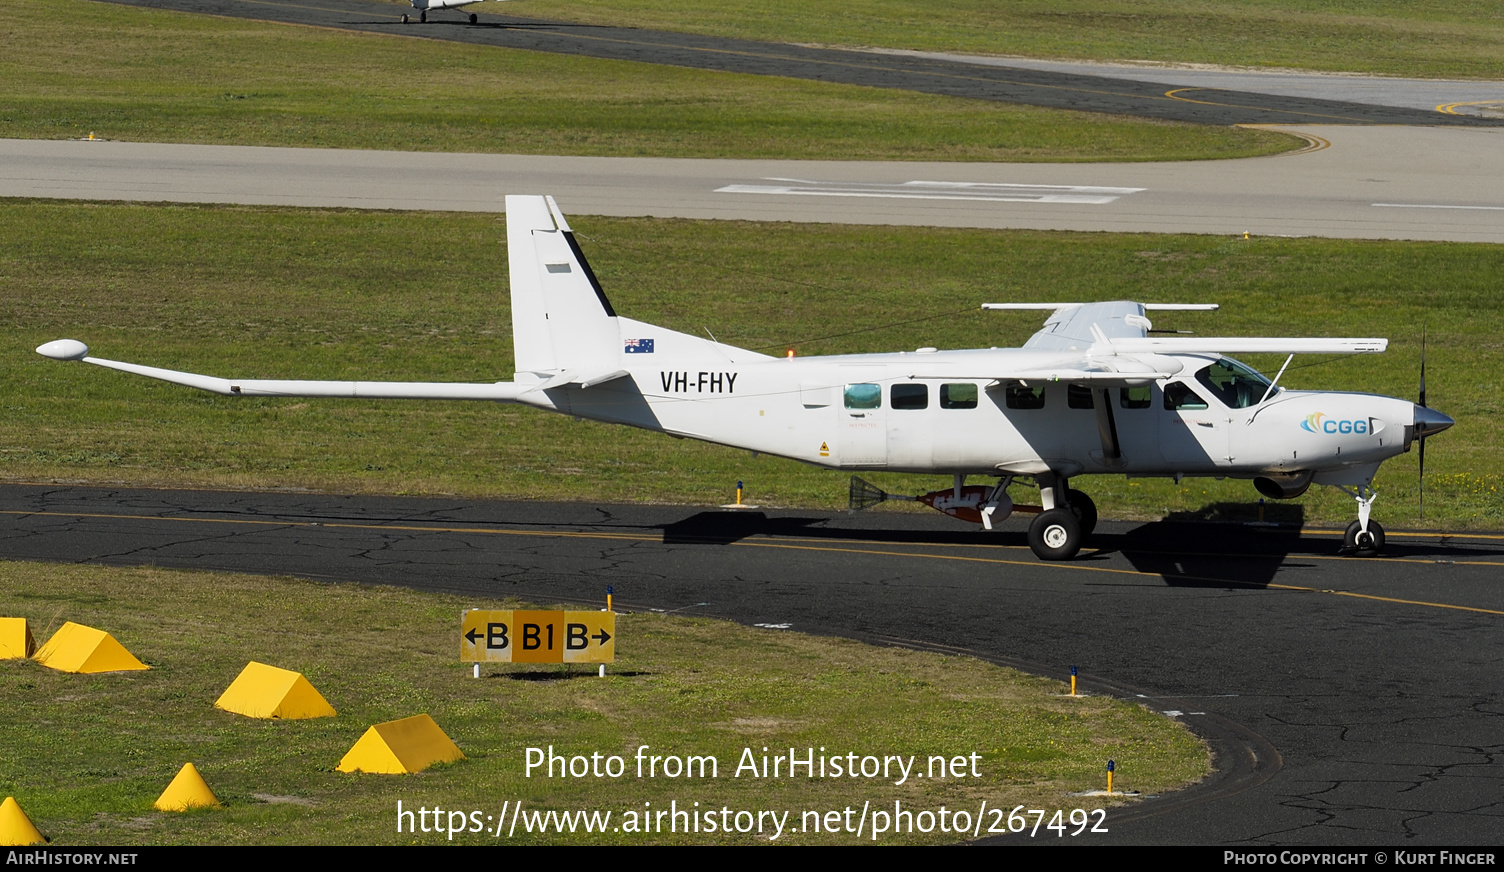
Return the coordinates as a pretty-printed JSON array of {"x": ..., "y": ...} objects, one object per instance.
[{"x": 502, "y": 392}]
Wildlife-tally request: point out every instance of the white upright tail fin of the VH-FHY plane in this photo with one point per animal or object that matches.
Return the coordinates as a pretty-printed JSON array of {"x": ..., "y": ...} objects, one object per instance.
[{"x": 562, "y": 321}]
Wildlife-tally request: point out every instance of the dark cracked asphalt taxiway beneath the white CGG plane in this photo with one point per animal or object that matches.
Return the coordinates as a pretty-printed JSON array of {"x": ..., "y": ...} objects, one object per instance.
[{"x": 1351, "y": 703}]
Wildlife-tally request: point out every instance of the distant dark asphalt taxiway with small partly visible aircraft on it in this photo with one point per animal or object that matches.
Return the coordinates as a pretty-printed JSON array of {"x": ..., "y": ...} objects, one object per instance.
[{"x": 1057, "y": 88}]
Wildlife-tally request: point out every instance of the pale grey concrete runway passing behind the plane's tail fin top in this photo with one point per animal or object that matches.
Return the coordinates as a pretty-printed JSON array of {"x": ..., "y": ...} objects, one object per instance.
[{"x": 1368, "y": 183}]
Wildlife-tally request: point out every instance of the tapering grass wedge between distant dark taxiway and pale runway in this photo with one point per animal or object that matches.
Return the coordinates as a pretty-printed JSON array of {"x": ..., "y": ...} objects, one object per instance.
[{"x": 148, "y": 76}]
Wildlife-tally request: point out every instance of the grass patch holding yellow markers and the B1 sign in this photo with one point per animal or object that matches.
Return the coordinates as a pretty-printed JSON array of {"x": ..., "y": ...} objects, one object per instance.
[{"x": 88, "y": 755}]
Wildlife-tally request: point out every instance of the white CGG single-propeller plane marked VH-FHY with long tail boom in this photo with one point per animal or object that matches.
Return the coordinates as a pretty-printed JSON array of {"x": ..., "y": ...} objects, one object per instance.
[{"x": 1093, "y": 393}]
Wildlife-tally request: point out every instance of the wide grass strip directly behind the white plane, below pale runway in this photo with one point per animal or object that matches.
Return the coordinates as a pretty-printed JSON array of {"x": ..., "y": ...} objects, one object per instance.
[{"x": 253, "y": 292}]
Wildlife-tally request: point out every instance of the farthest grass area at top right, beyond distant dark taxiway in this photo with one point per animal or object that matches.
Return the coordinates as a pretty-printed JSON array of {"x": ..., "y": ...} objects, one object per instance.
[{"x": 1427, "y": 38}]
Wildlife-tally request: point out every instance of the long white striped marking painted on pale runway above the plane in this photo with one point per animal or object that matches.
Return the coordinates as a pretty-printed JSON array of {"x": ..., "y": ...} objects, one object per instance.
[{"x": 978, "y": 192}]
